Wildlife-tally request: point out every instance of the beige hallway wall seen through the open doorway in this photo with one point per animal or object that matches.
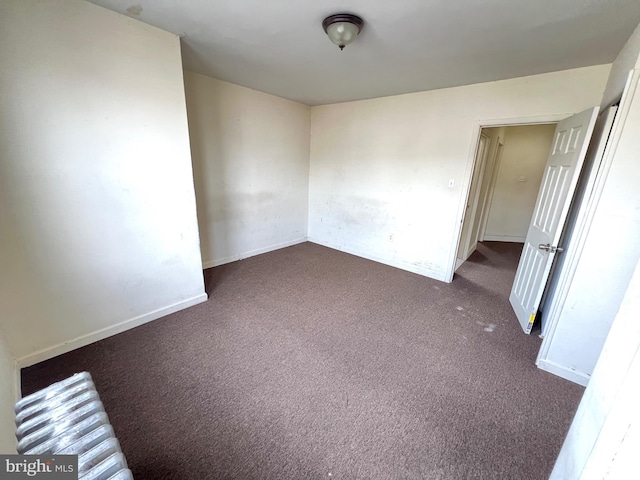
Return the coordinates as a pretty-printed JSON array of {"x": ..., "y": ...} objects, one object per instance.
[{"x": 519, "y": 175}]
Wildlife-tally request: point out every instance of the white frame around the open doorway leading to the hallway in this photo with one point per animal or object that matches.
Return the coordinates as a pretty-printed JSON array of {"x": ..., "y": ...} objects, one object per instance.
[{"x": 471, "y": 159}]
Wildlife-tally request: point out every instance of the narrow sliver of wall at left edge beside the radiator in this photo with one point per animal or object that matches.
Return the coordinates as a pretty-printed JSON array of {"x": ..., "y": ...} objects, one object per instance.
[{"x": 8, "y": 395}]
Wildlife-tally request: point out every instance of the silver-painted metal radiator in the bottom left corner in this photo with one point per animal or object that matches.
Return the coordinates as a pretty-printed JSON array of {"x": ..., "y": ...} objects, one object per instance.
[{"x": 67, "y": 418}]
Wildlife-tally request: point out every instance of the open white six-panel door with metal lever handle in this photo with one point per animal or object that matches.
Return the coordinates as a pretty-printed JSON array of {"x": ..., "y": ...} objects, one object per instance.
[{"x": 559, "y": 181}]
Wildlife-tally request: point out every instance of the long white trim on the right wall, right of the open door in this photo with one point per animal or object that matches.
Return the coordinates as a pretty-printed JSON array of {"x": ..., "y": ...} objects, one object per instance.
[{"x": 585, "y": 217}]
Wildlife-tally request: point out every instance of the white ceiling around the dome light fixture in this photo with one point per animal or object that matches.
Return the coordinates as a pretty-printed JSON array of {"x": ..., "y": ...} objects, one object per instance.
[{"x": 279, "y": 47}]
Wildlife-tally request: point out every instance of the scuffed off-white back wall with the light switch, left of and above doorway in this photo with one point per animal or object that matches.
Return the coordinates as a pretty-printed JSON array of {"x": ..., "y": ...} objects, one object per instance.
[{"x": 380, "y": 169}]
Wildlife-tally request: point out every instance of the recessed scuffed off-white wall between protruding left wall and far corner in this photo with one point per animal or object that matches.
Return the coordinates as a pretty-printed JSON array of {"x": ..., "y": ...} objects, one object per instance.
[{"x": 251, "y": 165}]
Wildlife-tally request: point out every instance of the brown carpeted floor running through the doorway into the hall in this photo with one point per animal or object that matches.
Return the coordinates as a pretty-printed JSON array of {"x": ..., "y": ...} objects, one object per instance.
[{"x": 308, "y": 363}]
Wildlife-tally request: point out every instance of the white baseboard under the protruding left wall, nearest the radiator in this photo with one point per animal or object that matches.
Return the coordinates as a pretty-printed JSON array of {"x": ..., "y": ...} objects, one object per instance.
[{"x": 109, "y": 331}]
